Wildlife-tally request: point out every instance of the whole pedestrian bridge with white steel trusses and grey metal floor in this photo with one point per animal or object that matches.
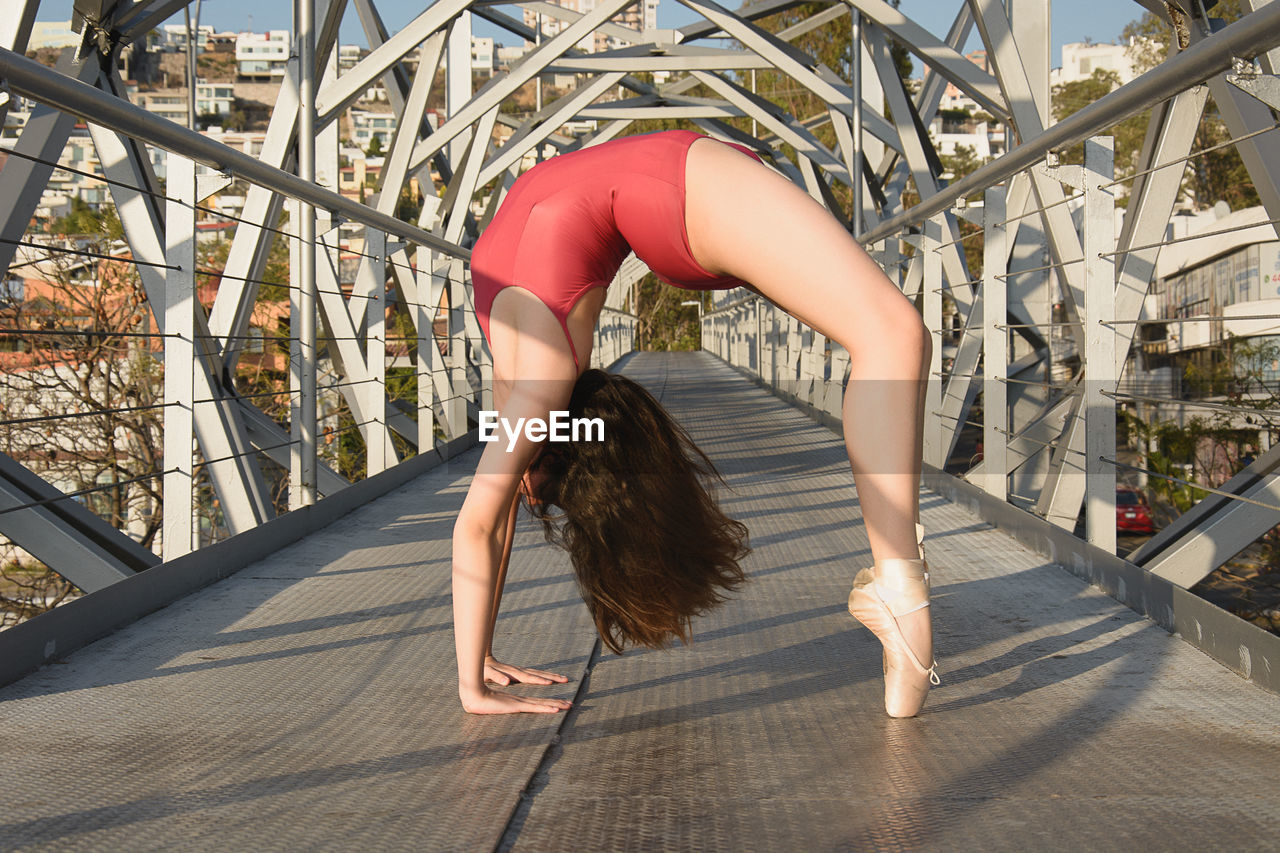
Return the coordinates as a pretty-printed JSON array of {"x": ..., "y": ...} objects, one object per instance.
[{"x": 259, "y": 505}]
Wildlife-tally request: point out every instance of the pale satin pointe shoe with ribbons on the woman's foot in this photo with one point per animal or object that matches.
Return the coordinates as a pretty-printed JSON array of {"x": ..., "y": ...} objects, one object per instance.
[{"x": 881, "y": 596}]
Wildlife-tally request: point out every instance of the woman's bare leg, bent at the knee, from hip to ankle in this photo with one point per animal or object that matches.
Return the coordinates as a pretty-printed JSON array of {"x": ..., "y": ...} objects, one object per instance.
[{"x": 751, "y": 223}]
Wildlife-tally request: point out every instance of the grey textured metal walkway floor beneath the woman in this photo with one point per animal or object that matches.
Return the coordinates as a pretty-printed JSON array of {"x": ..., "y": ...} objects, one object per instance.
[{"x": 309, "y": 699}]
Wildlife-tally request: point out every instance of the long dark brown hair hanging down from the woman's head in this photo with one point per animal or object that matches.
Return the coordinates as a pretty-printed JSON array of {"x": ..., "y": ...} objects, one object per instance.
[{"x": 647, "y": 539}]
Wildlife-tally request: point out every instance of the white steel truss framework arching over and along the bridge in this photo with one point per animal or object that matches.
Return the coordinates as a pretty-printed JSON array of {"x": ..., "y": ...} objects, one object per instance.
[{"x": 861, "y": 154}]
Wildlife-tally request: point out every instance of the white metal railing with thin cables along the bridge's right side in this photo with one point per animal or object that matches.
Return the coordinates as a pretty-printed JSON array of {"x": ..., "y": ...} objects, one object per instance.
[{"x": 1036, "y": 277}]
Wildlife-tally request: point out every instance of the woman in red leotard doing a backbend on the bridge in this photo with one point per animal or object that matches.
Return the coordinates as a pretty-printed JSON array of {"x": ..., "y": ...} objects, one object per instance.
[{"x": 648, "y": 544}]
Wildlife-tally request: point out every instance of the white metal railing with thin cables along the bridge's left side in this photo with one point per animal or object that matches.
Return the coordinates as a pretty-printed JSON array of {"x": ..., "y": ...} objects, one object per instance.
[{"x": 232, "y": 391}]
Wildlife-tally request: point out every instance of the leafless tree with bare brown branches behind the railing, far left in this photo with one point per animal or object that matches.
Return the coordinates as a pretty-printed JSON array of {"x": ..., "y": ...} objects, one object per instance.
[{"x": 83, "y": 381}]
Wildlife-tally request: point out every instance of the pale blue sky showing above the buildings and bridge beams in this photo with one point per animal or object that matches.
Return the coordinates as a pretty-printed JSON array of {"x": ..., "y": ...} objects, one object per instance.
[{"x": 1073, "y": 21}]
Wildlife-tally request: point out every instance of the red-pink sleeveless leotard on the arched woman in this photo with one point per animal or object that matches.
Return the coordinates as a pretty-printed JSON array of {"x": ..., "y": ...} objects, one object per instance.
[{"x": 569, "y": 223}]
